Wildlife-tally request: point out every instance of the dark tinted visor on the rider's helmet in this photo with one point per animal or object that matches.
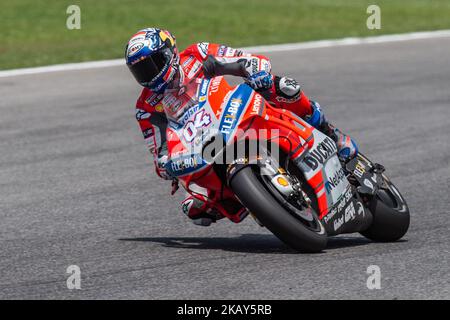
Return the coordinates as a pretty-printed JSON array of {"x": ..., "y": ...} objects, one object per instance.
[{"x": 147, "y": 71}]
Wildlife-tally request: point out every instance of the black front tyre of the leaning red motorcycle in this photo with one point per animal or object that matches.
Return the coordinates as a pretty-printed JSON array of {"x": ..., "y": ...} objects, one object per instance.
[{"x": 284, "y": 224}]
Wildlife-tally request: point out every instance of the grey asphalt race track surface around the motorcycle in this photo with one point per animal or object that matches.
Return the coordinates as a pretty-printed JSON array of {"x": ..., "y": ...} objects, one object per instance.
[{"x": 77, "y": 187}]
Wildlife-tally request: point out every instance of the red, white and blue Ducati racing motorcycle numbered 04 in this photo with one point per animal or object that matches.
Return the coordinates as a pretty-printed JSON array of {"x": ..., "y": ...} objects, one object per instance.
[{"x": 246, "y": 156}]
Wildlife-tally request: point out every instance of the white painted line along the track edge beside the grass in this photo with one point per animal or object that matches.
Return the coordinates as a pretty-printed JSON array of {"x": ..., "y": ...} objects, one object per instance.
[{"x": 264, "y": 48}]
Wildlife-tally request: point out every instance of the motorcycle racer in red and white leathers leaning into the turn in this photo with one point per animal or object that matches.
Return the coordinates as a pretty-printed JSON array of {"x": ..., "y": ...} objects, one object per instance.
[{"x": 171, "y": 80}]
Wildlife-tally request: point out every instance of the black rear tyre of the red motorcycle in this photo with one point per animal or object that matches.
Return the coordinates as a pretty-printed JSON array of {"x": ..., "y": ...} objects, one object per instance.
[{"x": 390, "y": 215}]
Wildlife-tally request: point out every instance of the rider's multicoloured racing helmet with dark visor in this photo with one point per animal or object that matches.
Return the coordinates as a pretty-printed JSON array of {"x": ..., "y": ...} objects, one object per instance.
[{"x": 152, "y": 57}]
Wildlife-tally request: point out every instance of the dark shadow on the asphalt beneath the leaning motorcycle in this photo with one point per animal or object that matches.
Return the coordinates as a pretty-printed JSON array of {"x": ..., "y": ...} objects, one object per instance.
[{"x": 247, "y": 243}]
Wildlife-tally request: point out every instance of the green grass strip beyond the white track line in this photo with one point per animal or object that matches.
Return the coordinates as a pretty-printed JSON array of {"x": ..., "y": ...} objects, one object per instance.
[{"x": 33, "y": 32}]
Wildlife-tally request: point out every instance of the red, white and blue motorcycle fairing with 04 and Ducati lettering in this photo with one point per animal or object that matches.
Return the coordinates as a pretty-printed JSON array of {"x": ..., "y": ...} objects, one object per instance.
[{"x": 227, "y": 108}]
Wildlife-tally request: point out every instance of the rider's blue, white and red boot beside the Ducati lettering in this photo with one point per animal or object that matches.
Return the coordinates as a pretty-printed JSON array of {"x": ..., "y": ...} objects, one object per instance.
[{"x": 347, "y": 148}]
